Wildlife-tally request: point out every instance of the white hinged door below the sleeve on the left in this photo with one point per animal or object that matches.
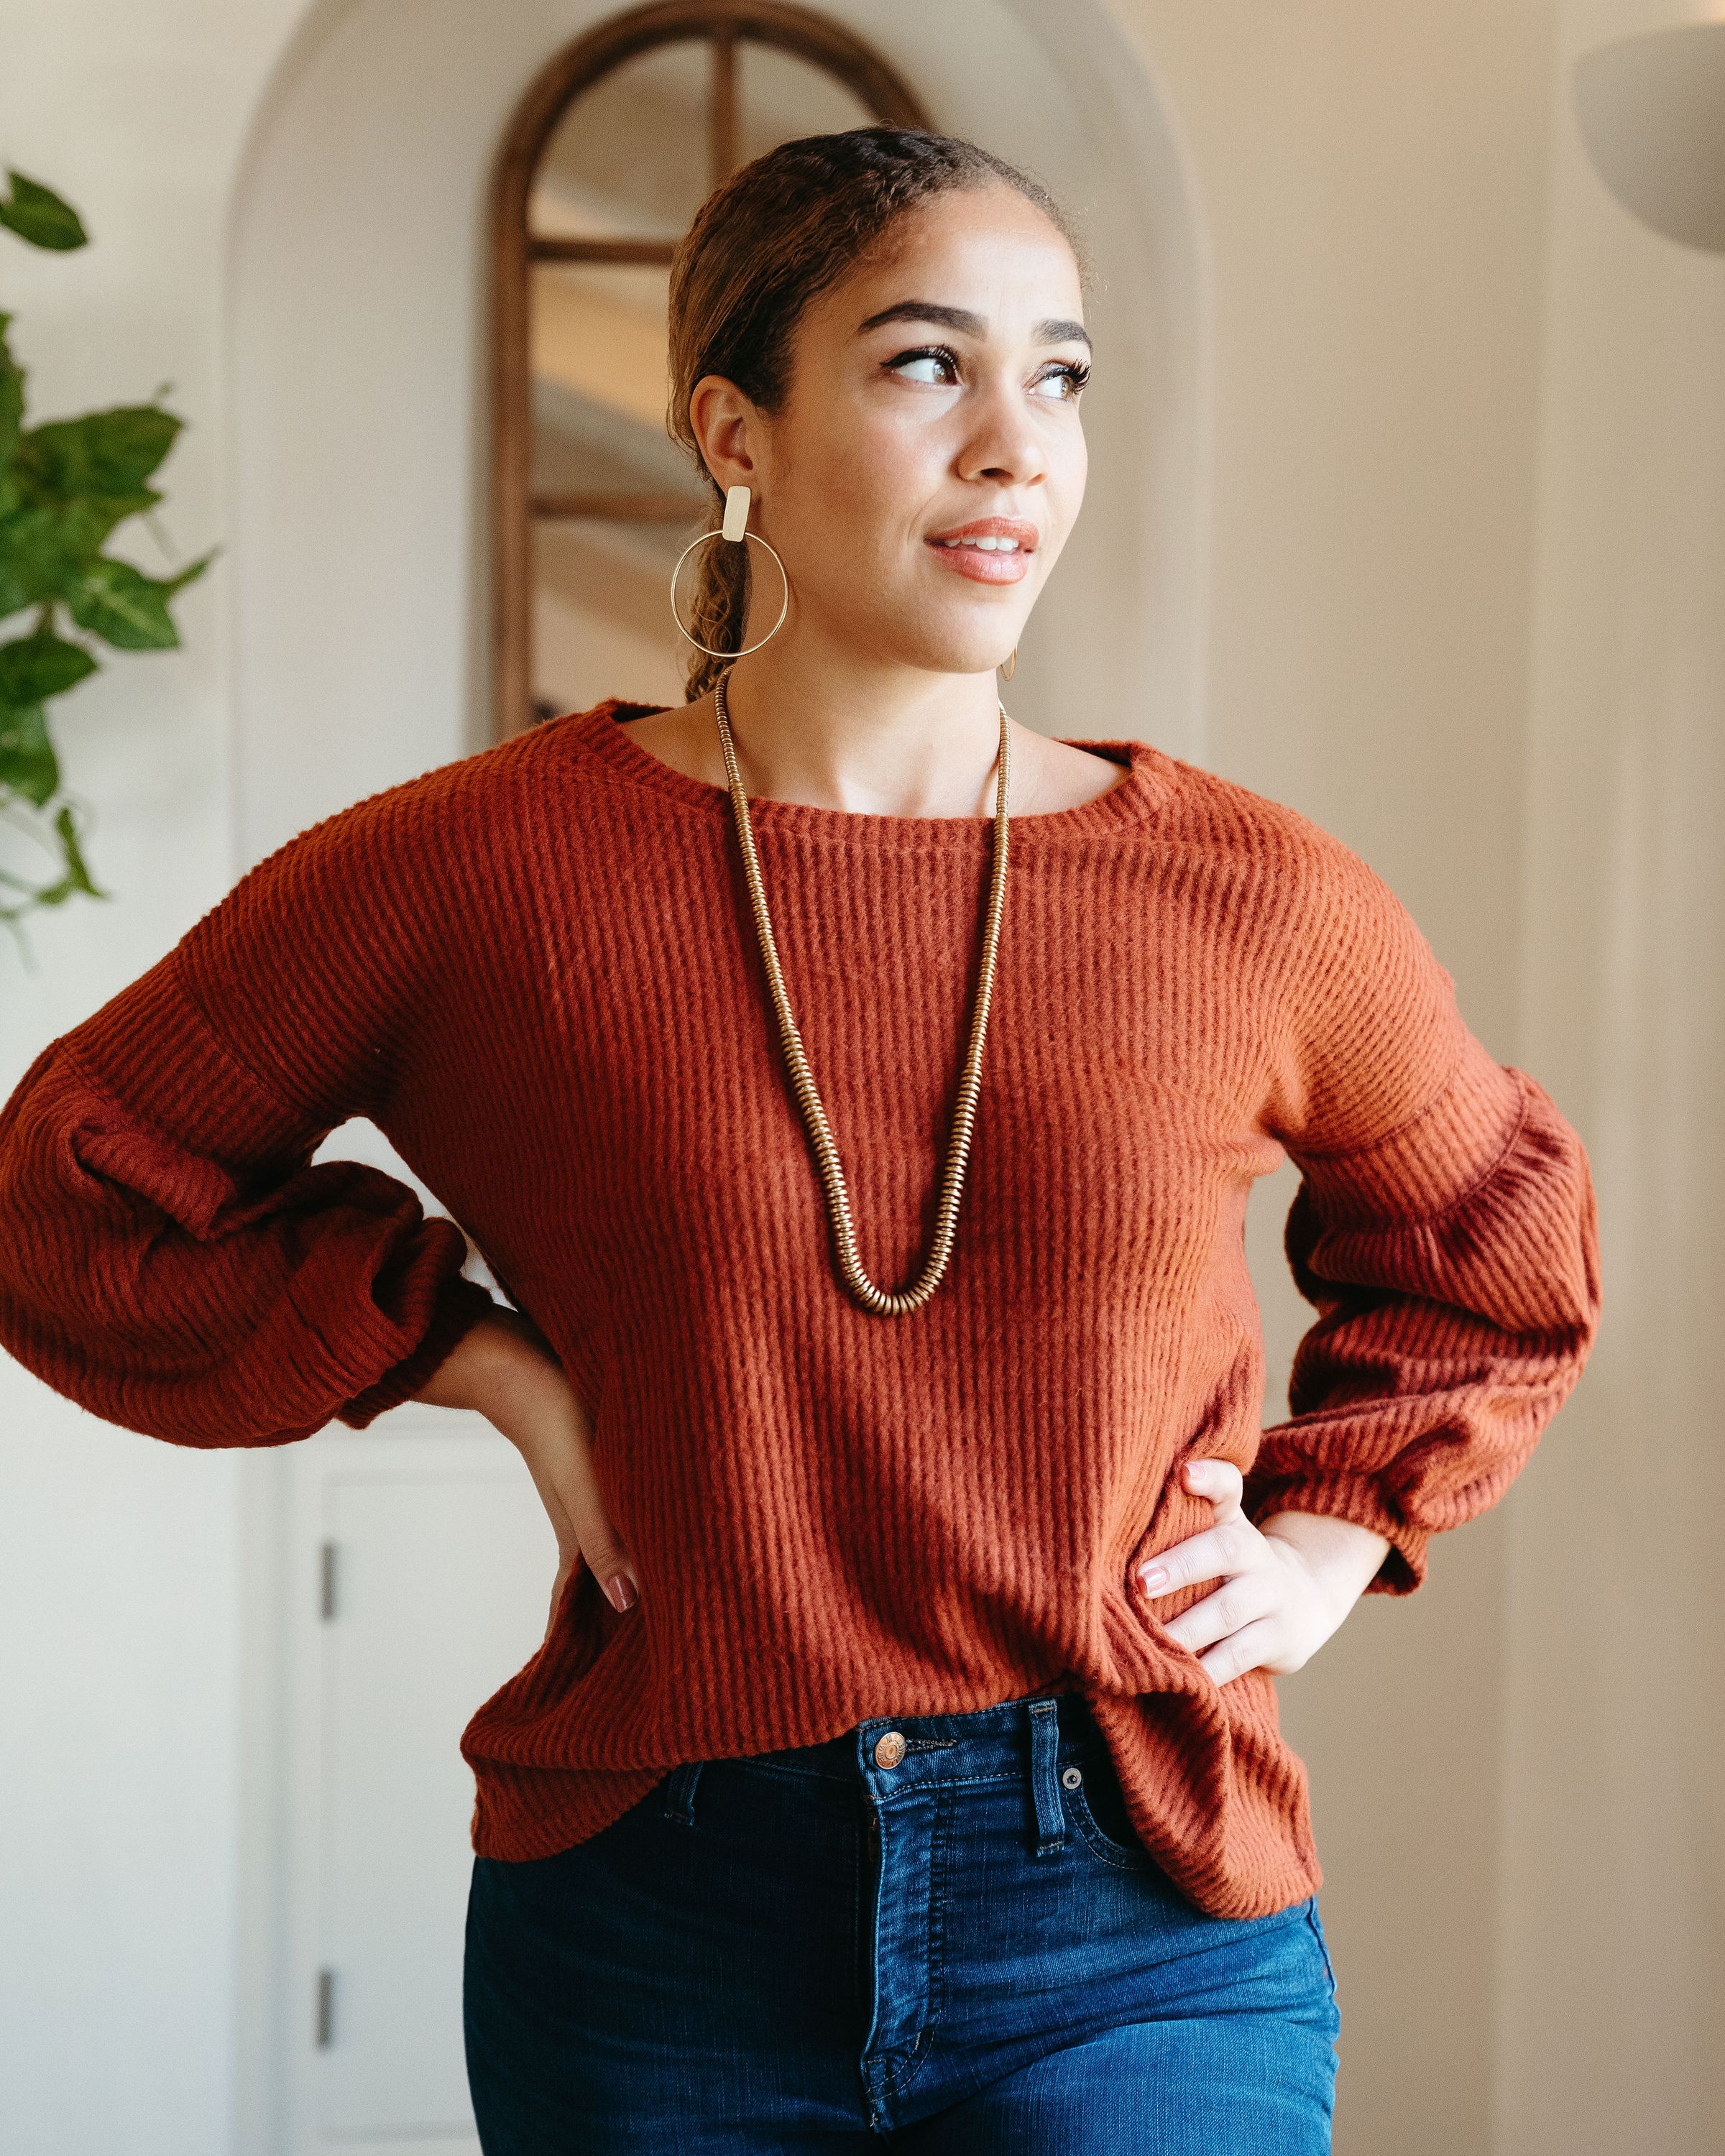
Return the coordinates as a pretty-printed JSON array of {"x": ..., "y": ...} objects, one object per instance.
[{"x": 422, "y": 1566}]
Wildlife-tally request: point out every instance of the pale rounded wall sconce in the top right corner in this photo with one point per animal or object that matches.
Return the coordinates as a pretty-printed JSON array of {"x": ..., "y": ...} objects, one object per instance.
[{"x": 1653, "y": 118}]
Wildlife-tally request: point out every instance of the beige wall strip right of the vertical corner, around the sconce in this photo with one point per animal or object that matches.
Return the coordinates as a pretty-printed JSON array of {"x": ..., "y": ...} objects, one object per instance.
[{"x": 1614, "y": 1911}]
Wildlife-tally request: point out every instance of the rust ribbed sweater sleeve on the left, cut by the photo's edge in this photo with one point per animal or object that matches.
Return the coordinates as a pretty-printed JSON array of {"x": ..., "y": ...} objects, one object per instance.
[{"x": 169, "y": 1254}]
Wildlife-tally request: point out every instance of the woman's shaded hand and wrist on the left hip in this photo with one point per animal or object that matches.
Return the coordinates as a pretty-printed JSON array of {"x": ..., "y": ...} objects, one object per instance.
[{"x": 506, "y": 1370}]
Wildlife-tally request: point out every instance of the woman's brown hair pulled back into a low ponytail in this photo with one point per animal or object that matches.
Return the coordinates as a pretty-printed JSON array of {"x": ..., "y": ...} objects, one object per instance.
[{"x": 769, "y": 240}]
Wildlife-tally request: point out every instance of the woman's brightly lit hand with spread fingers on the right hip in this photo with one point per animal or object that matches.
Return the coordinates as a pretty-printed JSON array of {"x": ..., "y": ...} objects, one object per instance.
[{"x": 1291, "y": 1581}]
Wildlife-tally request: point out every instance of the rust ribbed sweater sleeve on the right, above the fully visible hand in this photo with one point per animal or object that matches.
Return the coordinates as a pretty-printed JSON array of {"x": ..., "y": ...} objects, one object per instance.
[{"x": 1446, "y": 1232}]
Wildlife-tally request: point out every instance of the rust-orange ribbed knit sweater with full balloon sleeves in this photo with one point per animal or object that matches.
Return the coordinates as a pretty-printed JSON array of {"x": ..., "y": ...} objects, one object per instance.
[{"x": 538, "y": 973}]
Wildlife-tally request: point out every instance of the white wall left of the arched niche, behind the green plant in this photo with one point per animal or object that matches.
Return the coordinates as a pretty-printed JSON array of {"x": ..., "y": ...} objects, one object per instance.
[{"x": 120, "y": 1586}]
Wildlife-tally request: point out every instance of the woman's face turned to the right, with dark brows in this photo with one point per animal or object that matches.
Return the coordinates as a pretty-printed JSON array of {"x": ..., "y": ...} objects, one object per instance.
[{"x": 933, "y": 398}]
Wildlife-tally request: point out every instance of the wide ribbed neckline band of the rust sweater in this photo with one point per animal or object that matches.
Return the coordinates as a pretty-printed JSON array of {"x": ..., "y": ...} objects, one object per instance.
[{"x": 605, "y": 730}]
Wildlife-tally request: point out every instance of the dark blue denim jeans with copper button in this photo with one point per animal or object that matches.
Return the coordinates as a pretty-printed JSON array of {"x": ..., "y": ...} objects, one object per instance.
[{"x": 935, "y": 1933}]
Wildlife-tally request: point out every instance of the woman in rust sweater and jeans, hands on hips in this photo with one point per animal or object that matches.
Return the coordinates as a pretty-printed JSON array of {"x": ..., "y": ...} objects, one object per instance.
[{"x": 902, "y": 1754}]
